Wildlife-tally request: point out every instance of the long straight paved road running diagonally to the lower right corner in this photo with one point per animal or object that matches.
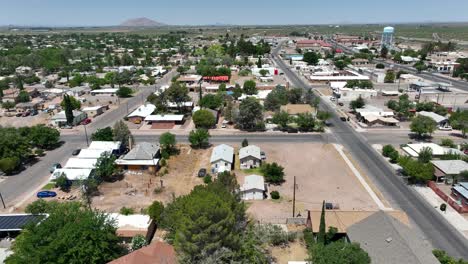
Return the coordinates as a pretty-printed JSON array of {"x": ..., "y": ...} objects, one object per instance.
[{"x": 433, "y": 227}]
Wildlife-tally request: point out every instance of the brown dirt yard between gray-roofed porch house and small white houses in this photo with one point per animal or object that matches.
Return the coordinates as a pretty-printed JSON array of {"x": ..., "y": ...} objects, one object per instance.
[{"x": 137, "y": 190}]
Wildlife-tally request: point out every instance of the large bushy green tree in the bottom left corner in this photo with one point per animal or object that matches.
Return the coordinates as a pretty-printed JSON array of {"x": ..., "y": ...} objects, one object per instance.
[{"x": 73, "y": 234}]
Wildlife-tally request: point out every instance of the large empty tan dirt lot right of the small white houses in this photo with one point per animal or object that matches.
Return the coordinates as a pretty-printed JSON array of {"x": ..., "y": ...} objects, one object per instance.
[{"x": 321, "y": 174}]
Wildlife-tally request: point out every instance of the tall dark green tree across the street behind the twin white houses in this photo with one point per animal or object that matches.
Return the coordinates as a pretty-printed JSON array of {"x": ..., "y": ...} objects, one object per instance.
[{"x": 250, "y": 114}]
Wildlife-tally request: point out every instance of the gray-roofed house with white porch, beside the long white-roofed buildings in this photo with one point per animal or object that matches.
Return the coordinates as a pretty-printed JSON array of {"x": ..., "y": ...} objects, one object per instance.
[{"x": 144, "y": 156}]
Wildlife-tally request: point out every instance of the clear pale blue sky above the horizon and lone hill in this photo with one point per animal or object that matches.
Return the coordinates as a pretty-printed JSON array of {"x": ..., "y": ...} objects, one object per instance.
[{"x": 200, "y": 12}]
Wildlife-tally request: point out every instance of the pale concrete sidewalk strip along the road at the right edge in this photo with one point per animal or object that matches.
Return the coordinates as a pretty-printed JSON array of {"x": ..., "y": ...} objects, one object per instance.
[{"x": 452, "y": 216}]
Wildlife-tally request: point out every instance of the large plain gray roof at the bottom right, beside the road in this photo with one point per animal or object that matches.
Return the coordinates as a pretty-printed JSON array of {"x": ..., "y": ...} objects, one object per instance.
[{"x": 387, "y": 240}]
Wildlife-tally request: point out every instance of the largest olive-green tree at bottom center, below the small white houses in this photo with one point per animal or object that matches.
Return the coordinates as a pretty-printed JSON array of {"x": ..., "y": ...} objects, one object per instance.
[{"x": 206, "y": 220}]
